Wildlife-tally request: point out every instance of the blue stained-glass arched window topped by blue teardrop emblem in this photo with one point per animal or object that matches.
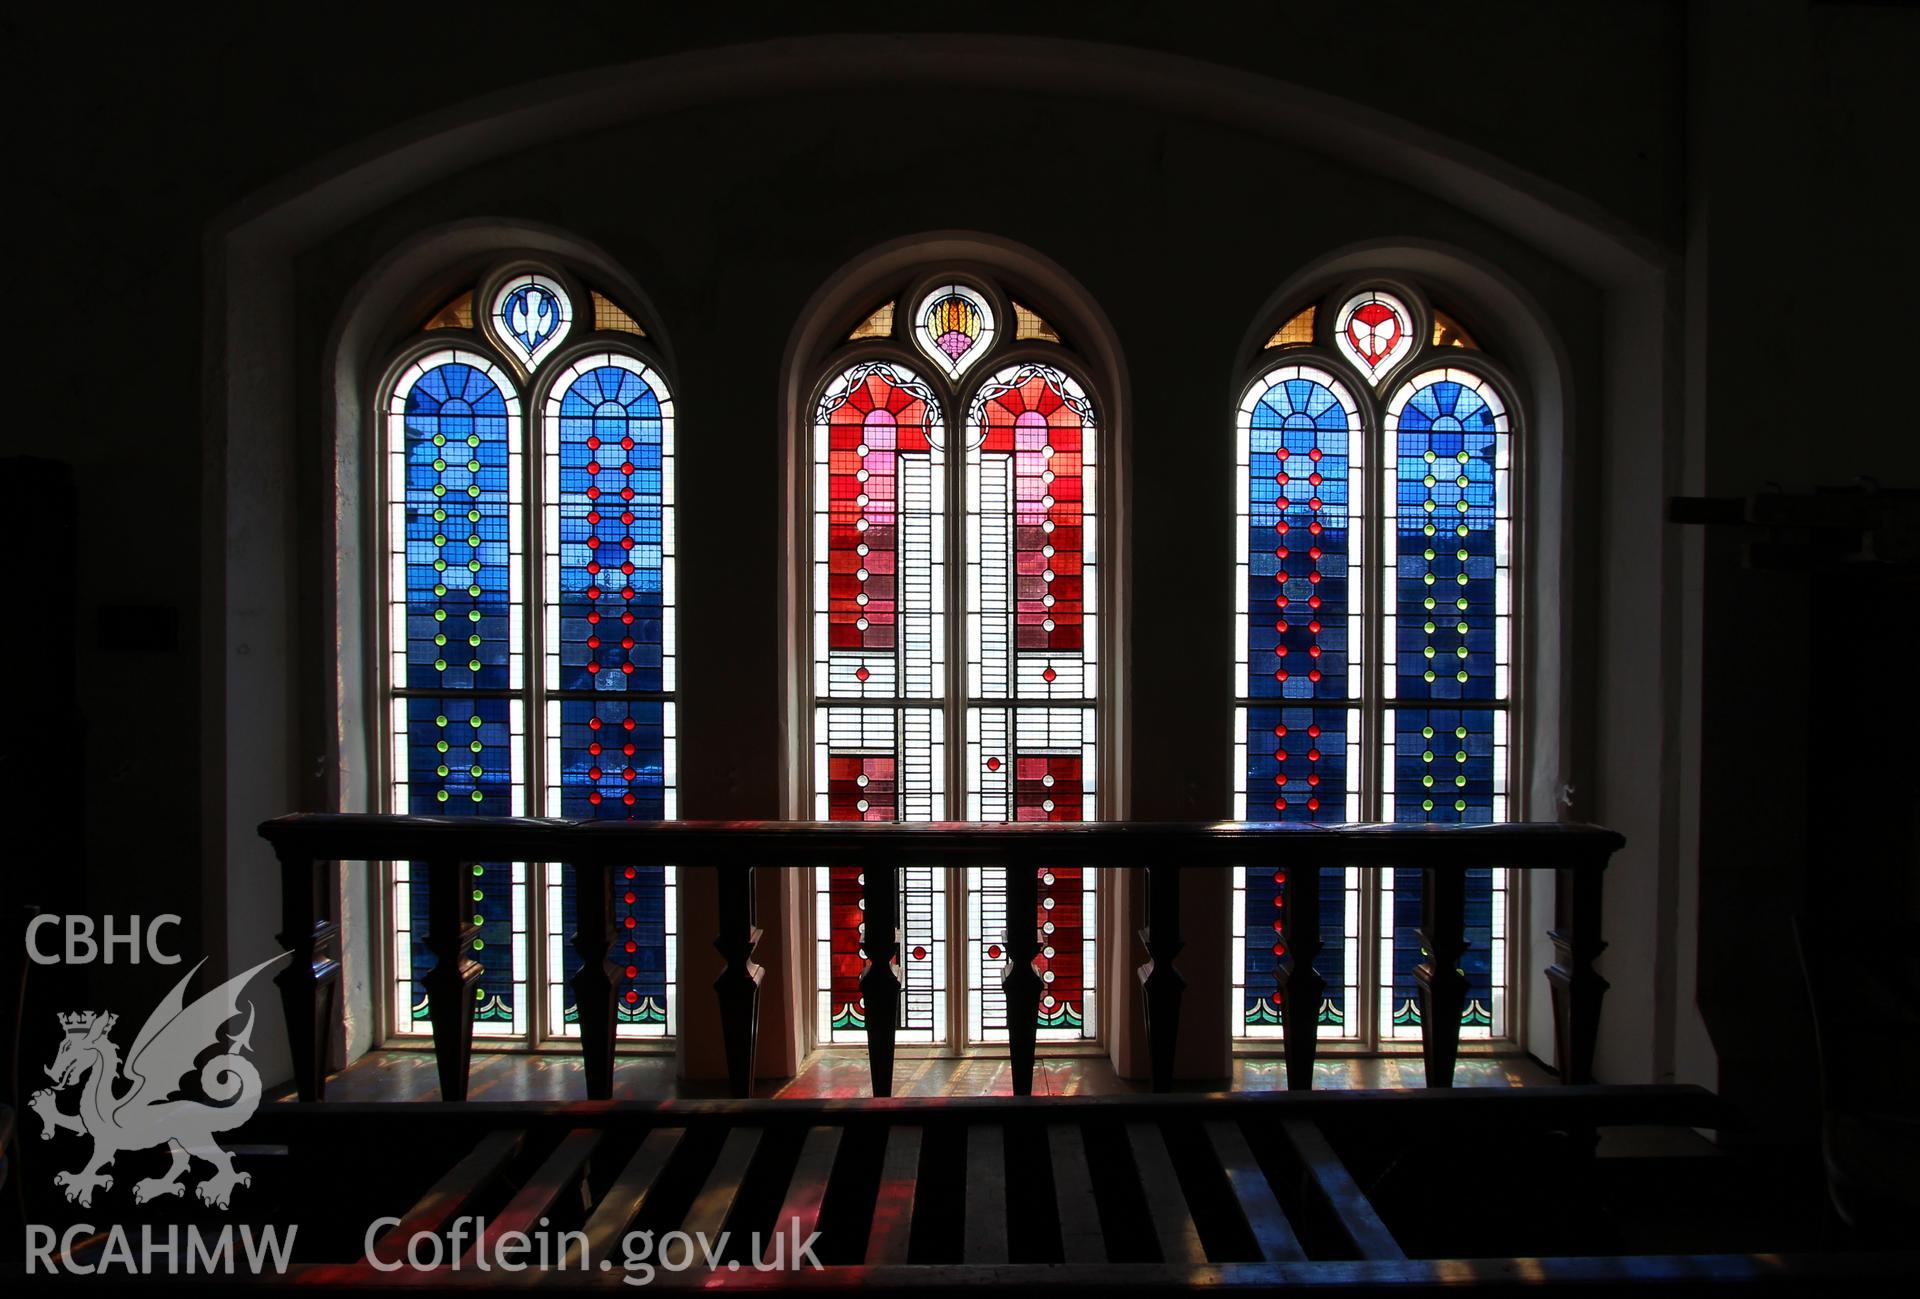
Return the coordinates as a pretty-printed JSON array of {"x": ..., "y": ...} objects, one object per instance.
[{"x": 529, "y": 529}]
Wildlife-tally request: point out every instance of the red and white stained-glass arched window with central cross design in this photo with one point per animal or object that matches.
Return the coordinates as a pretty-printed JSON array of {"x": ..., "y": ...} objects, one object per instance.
[{"x": 955, "y": 642}]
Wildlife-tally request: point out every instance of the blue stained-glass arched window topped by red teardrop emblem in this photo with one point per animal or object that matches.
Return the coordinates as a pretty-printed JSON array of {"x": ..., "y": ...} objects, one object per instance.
[{"x": 1376, "y": 630}]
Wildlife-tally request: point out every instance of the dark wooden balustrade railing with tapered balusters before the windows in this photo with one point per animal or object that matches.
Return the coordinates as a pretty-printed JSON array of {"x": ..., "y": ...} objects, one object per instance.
[{"x": 312, "y": 845}]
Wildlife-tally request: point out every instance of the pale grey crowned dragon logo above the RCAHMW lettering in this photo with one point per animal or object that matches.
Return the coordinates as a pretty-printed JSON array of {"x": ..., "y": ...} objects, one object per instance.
[{"x": 151, "y": 1114}]
